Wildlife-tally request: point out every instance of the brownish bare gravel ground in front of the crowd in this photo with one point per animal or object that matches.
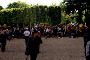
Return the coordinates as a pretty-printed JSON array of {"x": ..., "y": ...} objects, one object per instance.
[{"x": 51, "y": 49}]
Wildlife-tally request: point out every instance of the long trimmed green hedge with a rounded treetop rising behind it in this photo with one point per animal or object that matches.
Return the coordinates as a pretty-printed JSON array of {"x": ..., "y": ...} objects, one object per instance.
[{"x": 20, "y": 13}]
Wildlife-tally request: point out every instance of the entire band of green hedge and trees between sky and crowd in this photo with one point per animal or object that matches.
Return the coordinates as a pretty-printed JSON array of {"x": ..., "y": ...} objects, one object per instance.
[{"x": 20, "y": 13}]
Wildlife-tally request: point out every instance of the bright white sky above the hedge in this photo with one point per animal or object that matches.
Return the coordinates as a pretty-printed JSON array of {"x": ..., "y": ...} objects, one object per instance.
[{"x": 4, "y": 3}]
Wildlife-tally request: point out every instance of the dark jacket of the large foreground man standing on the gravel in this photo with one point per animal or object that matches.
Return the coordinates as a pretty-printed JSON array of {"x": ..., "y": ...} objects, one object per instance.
[{"x": 33, "y": 45}]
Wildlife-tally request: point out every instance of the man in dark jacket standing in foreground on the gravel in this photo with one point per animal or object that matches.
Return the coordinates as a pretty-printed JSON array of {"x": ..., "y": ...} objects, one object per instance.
[{"x": 33, "y": 46}]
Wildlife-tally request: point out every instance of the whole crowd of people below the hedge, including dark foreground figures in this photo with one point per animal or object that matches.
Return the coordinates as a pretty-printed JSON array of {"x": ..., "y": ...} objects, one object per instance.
[{"x": 34, "y": 33}]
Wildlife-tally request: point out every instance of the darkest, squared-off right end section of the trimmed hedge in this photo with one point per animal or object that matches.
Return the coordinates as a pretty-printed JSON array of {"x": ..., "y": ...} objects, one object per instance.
[{"x": 55, "y": 15}]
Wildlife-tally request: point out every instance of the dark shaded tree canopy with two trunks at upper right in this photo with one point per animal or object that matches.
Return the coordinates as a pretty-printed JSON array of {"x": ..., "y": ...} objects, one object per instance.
[{"x": 80, "y": 5}]
